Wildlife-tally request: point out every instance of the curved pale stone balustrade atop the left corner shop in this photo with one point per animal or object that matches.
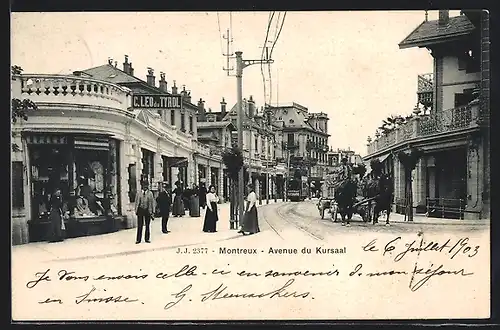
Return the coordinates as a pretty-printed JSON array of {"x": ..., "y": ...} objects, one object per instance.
[{"x": 61, "y": 89}]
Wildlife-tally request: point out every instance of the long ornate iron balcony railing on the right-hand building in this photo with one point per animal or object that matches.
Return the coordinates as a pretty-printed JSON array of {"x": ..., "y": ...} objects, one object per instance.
[{"x": 425, "y": 126}]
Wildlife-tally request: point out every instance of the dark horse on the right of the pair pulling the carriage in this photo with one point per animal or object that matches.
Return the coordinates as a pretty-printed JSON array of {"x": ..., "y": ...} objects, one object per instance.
[{"x": 380, "y": 189}]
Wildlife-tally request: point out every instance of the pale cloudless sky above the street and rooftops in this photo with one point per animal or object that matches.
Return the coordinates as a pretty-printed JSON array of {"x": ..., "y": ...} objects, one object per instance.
[{"x": 344, "y": 63}]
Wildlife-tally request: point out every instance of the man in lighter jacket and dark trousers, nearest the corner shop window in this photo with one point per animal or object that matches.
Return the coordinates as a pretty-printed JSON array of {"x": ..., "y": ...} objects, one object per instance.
[{"x": 144, "y": 209}]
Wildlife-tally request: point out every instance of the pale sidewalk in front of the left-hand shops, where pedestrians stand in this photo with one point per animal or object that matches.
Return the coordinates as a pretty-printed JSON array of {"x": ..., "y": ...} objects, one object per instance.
[{"x": 184, "y": 231}]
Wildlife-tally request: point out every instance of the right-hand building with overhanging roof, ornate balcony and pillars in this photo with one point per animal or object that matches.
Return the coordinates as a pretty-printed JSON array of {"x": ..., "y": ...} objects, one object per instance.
[{"x": 450, "y": 123}]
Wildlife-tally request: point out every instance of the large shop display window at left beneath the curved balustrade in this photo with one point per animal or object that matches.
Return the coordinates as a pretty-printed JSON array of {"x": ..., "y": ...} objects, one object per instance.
[{"x": 84, "y": 168}]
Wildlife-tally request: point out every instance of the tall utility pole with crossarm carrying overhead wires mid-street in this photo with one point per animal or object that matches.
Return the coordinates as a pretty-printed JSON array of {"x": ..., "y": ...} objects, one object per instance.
[{"x": 240, "y": 65}]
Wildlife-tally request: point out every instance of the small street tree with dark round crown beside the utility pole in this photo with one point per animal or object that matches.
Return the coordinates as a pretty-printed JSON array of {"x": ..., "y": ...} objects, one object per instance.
[{"x": 233, "y": 159}]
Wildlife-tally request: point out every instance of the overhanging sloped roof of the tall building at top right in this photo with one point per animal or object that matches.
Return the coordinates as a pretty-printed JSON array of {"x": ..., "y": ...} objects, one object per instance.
[{"x": 430, "y": 32}]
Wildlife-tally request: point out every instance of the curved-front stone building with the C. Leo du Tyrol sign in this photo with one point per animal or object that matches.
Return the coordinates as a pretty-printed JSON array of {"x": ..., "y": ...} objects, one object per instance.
[{"x": 97, "y": 136}]
